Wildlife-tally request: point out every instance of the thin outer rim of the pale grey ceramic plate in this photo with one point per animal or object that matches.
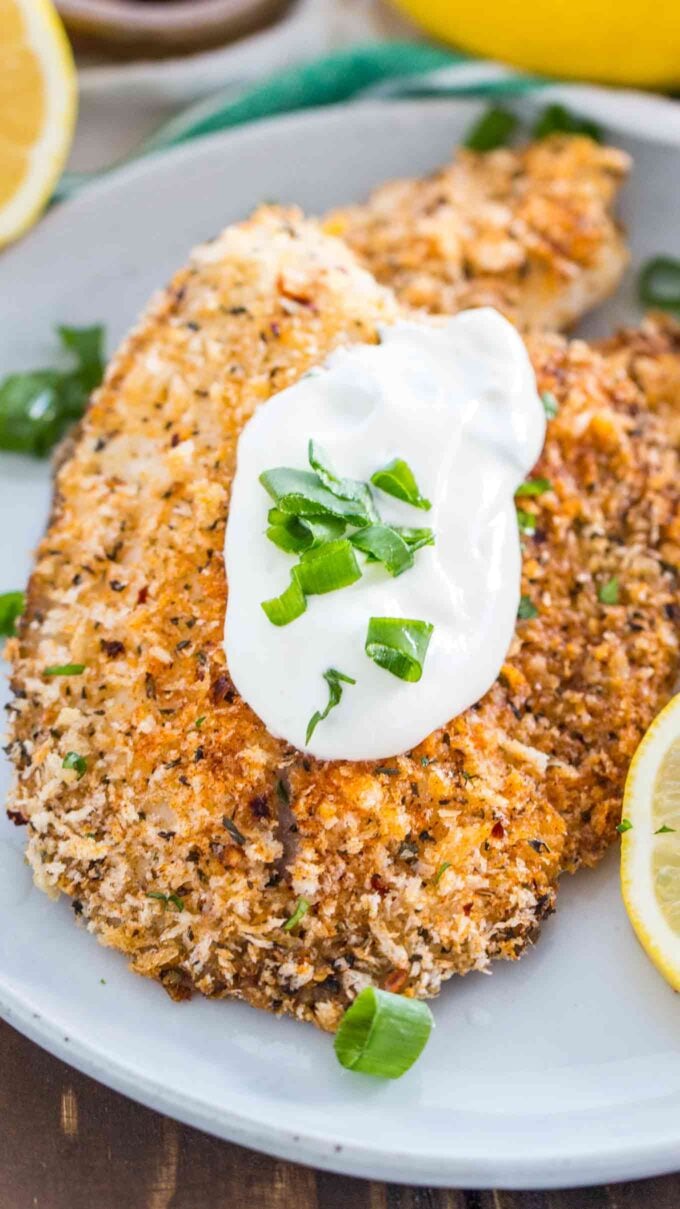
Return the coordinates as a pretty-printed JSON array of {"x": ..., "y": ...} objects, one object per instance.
[{"x": 575, "y": 1167}]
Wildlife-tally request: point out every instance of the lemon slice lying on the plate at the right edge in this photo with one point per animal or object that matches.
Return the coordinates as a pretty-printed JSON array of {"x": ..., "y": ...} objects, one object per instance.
[{"x": 650, "y": 858}]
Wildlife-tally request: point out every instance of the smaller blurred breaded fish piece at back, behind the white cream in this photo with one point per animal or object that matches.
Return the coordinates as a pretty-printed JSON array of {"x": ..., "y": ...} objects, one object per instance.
[{"x": 528, "y": 232}]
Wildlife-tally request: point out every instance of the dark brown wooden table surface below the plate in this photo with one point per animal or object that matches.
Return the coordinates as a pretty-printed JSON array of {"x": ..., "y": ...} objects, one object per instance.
[{"x": 68, "y": 1143}]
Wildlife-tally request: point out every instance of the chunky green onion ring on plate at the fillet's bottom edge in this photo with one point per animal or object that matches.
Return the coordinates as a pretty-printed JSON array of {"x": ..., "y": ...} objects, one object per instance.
[{"x": 383, "y": 1034}]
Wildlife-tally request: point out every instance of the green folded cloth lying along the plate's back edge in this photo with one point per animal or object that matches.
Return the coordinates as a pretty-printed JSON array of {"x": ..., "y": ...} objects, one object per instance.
[{"x": 381, "y": 70}]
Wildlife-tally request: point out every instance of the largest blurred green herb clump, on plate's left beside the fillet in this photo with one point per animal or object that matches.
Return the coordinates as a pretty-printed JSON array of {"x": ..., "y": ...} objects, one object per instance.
[{"x": 37, "y": 408}]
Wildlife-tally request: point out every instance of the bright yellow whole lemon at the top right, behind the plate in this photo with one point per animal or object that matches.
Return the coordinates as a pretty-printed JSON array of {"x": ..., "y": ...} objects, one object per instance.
[{"x": 615, "y": 43}]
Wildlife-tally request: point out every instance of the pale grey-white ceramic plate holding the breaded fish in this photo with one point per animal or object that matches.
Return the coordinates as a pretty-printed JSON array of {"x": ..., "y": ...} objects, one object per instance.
[{"x": 561, "y": 1071}]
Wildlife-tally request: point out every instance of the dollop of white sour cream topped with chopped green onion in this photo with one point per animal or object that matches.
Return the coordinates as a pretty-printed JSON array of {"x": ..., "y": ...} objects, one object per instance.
[{"x": 459, "y": 403}]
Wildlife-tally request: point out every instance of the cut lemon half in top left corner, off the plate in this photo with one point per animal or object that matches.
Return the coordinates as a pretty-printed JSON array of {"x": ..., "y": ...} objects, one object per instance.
[{"x": 38, "y": 108}]
